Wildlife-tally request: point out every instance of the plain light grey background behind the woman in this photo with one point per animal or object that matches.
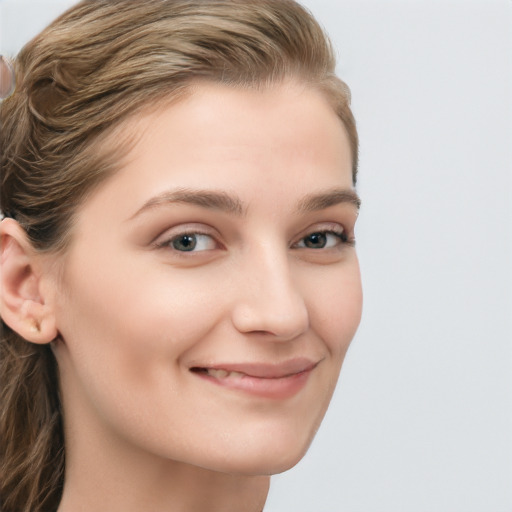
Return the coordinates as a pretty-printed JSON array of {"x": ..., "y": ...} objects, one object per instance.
[{"x": 422, "y": 417}]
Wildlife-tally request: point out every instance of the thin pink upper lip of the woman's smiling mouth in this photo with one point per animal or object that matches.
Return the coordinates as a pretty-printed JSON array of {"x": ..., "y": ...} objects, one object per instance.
[{"x": 264, "y": 370}]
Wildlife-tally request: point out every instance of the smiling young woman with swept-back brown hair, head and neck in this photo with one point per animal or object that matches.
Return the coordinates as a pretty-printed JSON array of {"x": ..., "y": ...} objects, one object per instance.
[{"x": 179, "y": 278}]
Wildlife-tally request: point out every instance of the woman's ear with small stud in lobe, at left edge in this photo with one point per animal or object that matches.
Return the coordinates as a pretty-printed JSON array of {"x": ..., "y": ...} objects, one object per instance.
[{"x": 23, "y": 305}]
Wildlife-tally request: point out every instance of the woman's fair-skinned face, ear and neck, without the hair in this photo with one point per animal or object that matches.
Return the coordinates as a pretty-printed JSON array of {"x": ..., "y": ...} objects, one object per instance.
[{"x": 204, "y": 305}]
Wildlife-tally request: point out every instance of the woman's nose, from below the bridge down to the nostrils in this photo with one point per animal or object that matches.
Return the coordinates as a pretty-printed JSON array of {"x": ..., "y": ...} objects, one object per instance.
[{"x": 268, "y": 299}]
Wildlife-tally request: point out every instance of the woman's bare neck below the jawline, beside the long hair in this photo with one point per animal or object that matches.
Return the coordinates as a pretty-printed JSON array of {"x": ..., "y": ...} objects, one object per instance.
[{"x": 108, "y": 473}]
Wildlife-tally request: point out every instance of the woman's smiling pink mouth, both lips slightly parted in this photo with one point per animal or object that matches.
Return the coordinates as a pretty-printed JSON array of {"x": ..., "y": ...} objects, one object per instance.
[{"x": 265, "y": 381}]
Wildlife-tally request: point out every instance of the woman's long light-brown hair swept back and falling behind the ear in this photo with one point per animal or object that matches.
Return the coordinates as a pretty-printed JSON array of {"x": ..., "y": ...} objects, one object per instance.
[{"x": 97, "y": 64}]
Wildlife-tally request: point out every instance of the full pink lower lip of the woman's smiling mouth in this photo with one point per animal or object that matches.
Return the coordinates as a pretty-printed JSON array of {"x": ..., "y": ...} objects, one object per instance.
[{"x": 272, "y": 388}]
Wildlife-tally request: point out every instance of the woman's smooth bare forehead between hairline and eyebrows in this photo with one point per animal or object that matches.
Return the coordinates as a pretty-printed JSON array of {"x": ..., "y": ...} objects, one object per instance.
[{"x": 284, "y": 138}]
